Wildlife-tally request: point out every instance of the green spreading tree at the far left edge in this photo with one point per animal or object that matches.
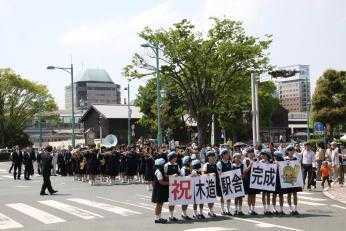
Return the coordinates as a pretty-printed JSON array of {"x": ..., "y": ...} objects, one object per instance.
[{"x": 20, "y": 100}]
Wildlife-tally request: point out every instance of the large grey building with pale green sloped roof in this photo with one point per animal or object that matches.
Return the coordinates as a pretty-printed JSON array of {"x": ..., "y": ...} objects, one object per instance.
[{"x": 94, "y": 86}]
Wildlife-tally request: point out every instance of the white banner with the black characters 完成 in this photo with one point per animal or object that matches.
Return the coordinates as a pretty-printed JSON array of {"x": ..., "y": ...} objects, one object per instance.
[{"x": 263, "y": 176}]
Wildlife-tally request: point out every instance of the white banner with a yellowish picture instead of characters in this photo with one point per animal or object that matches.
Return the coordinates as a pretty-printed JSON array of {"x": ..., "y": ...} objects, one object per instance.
[{"x": 290, "y": 174}]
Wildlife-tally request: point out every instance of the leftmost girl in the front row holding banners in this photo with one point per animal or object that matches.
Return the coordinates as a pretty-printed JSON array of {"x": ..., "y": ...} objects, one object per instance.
[{"x": 160, "y": 190}]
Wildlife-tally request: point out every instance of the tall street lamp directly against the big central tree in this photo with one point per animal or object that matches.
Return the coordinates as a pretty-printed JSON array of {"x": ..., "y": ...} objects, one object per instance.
[{"x": 155, "y": 48}]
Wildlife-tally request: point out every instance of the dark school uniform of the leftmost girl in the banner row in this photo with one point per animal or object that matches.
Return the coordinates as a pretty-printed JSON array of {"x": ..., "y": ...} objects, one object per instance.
[{"x": 160, "y": 192}]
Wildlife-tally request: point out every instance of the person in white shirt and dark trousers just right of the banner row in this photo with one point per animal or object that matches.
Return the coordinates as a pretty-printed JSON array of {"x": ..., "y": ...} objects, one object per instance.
[{"x": 308, "y": 161}]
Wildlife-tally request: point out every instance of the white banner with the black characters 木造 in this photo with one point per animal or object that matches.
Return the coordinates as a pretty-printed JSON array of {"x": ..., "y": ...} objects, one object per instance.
[{"x": 204, "y": 189}]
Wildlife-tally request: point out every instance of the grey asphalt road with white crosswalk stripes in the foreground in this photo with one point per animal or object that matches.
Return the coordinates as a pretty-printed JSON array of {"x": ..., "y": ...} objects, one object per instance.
[{"x": 78, "y": 206}]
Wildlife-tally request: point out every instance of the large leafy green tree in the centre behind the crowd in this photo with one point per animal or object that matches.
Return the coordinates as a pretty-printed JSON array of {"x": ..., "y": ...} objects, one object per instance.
[{"x": 202, "y": 68}]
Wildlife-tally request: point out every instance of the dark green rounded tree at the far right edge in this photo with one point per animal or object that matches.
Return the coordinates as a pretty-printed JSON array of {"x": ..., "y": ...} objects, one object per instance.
[{"x": 329, "y": 99}]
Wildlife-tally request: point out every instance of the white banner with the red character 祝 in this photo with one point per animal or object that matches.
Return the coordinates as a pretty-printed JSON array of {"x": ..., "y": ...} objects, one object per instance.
[{"x": 180, "y": 190}]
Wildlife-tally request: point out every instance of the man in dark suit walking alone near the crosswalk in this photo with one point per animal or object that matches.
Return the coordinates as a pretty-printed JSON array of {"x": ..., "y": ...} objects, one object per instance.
[{"x": 46, "y": 169}]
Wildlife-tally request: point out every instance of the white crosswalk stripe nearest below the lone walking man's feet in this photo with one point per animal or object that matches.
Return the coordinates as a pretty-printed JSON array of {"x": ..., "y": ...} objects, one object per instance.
[{"x": 81, "y": 213}]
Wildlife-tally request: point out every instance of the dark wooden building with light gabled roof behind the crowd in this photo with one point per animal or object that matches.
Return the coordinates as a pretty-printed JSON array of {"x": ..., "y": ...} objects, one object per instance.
[{"x": 113, "y": 120}]
